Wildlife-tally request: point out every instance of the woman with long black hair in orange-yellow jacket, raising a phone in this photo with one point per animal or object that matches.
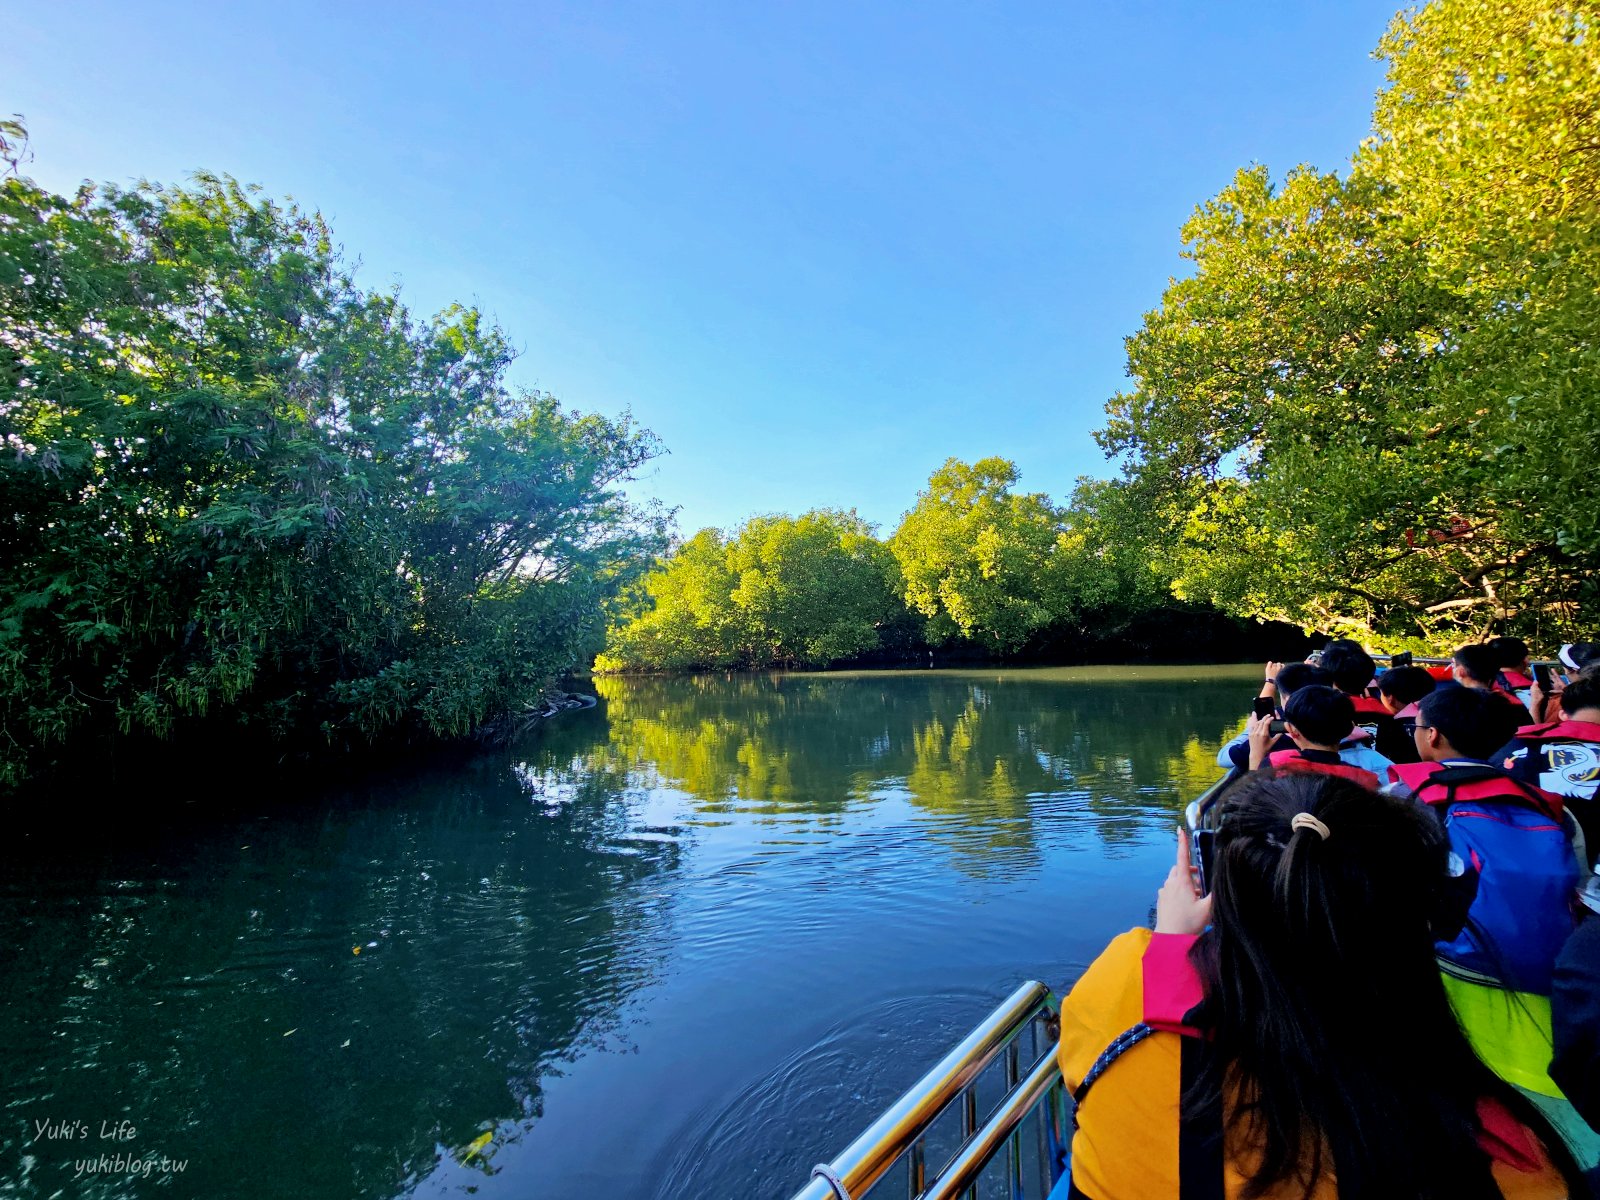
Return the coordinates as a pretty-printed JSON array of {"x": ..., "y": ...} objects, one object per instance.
[{"x": 1289, "y": 1034}]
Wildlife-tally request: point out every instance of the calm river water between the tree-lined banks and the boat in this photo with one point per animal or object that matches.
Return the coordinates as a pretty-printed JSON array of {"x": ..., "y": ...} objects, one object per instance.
[{"x": 687, "y": 943}]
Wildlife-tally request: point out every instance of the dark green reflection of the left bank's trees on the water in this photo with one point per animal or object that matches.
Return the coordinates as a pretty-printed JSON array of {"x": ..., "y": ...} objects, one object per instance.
[{"x": 324, "y": 1001}]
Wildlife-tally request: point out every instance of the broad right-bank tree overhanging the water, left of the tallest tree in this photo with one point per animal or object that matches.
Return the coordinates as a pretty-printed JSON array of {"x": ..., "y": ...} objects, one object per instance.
[{"x": 1278, "y": 434}]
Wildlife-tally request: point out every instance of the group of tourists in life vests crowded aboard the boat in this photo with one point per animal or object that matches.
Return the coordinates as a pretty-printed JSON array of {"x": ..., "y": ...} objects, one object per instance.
[{"x": 1375, "y": 969}]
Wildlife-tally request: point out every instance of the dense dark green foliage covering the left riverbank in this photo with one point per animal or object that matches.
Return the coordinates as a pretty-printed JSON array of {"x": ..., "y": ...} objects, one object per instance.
[{"x": 238, "y": 487}]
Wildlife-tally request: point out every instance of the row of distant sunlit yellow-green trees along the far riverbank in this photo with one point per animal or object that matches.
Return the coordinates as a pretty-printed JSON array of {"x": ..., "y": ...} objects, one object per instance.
[{"x": 974, "y": 567}]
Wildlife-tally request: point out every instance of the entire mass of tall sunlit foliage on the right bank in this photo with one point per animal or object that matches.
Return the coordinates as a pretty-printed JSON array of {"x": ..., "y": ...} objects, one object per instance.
[{"x": 1375, "y": 406}]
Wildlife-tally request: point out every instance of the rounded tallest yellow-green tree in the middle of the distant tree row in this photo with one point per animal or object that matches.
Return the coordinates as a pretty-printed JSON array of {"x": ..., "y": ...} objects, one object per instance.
[{"x": 978, "y": 559}]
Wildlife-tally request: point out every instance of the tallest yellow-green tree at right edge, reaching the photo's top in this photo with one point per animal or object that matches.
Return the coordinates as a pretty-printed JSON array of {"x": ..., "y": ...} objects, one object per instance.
[{"x": 1489, "y": 134}]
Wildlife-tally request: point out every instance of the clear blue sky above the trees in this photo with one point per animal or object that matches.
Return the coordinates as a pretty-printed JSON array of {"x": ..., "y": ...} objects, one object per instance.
[{"x": 817, "y": 247}]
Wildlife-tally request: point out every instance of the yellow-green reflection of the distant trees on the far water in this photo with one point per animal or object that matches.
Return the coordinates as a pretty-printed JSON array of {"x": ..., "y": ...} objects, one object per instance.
[{"x": 977, "y": 748}]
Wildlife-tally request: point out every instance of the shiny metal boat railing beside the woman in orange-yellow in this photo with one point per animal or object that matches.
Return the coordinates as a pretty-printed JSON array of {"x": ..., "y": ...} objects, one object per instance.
[{"x": 940, "y": 1142}]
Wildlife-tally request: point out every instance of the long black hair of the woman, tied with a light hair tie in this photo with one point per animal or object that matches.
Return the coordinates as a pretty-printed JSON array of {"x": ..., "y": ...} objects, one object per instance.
[{"x": 1335, "y": 1042}]
